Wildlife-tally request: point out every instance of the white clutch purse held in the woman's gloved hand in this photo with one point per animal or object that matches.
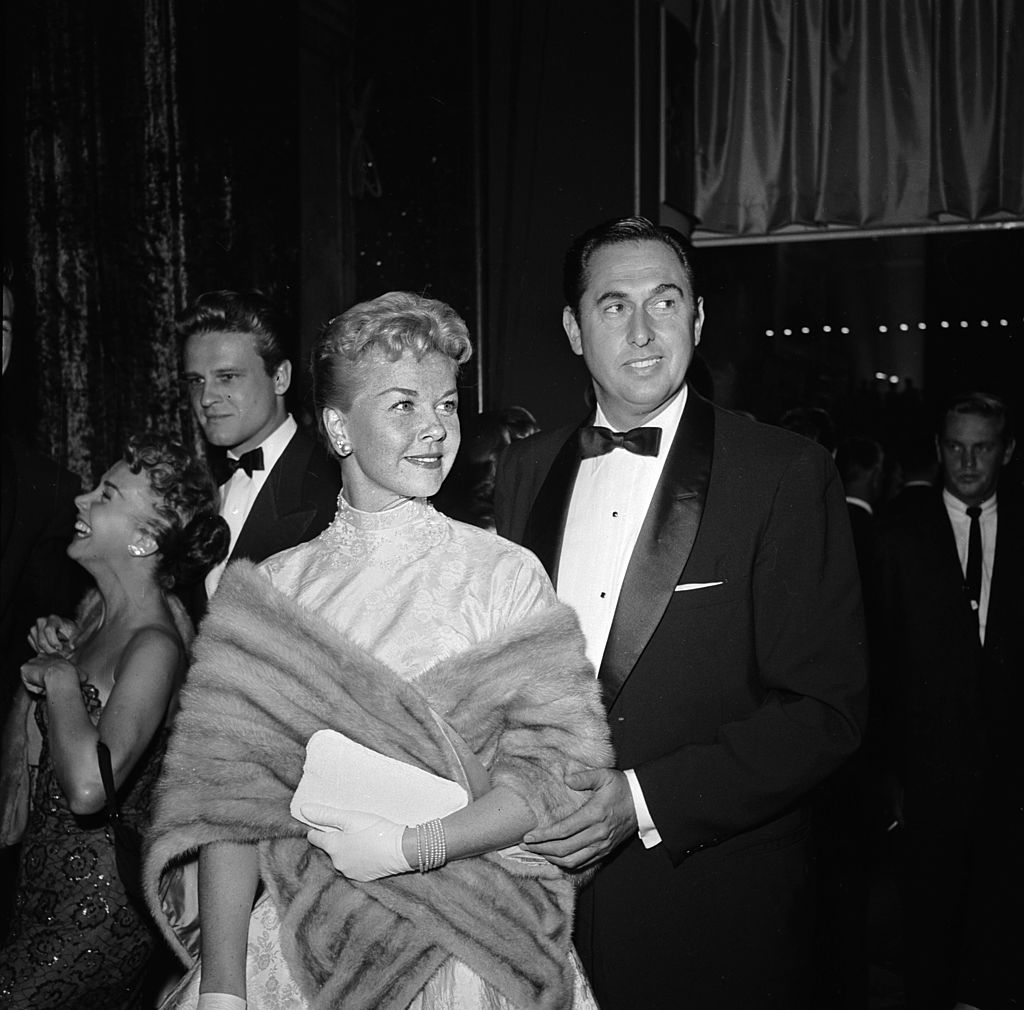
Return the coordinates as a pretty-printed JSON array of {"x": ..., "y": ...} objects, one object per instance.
[{"x": 343, "y": 774}]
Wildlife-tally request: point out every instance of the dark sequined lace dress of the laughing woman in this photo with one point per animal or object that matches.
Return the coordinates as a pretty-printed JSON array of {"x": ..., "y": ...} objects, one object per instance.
[{"x": 76, "y": 942}]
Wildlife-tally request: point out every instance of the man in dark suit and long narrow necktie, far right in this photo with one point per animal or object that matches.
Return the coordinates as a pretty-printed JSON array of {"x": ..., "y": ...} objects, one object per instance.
[{"x": 951, "y": 585}]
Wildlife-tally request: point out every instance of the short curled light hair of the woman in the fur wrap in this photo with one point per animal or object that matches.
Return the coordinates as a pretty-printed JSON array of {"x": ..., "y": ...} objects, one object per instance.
[{"x": 395, "y": 323}]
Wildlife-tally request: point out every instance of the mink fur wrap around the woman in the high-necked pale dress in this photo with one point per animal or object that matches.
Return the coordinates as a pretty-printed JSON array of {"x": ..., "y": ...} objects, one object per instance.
[{"x": 267, "y": 676}]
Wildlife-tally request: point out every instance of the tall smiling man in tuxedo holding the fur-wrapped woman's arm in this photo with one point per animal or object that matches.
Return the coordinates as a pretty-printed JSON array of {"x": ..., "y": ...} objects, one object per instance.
[{"x": 717, "y": 590}]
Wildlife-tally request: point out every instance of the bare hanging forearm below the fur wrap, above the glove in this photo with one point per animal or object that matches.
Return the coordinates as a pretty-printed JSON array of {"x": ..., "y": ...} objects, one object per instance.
[{"x": 228, "y": 876}]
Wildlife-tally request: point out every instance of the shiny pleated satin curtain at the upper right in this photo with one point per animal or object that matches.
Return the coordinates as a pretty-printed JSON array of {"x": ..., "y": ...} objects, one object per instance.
[{"x": 866, "y": 115}]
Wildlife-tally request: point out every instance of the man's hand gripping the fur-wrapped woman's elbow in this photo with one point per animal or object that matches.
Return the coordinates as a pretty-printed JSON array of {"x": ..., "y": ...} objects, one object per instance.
[{"x": 600, "y": 827}]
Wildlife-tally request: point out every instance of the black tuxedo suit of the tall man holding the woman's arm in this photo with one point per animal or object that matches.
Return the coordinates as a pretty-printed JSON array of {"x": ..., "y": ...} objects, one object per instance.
[{"x": 731, "y": 702}]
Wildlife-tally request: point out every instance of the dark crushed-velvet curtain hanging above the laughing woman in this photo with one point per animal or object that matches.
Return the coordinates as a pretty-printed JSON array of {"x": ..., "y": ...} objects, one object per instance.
[{"x": 158, "y": 162}]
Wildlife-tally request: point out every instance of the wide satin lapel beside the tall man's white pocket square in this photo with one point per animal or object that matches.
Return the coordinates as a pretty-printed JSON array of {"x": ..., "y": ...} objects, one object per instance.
[{"x": 663, "y": 546}]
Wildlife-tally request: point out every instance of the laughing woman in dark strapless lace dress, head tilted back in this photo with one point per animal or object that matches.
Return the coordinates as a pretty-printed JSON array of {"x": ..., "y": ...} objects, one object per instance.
[{"x": 77, "y": 941}]
